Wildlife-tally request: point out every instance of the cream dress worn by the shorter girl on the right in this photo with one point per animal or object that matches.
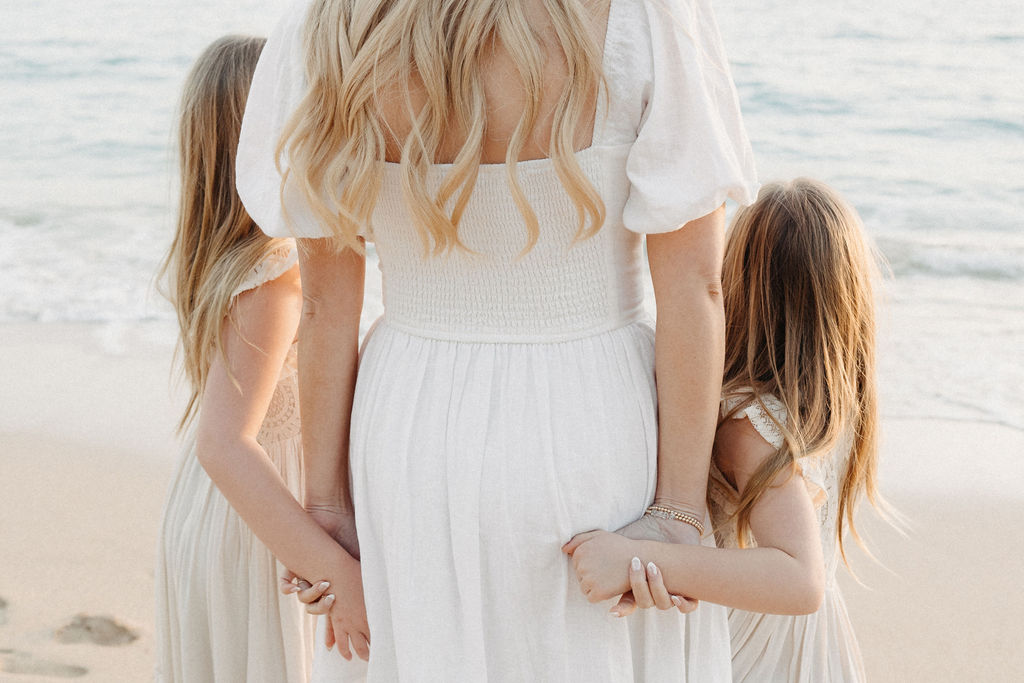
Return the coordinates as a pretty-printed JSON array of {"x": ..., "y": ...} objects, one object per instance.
[{"x": 784, "y": 649}]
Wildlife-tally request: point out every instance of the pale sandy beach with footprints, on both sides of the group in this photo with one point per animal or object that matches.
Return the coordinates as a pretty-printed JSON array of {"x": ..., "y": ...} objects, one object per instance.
[{"x": 88, "y": 446}]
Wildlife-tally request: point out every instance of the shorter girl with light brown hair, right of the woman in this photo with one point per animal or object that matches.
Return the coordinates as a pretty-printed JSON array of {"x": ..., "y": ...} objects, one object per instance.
[{"x": 796, "y": 449}]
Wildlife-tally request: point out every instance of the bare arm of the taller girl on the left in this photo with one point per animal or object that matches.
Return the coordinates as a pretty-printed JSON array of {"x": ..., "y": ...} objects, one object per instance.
[{"x": 255, "y": 347}]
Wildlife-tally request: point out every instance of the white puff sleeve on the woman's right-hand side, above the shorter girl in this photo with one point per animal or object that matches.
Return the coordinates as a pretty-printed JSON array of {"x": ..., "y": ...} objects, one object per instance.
[{"x": 692, "y": 150}]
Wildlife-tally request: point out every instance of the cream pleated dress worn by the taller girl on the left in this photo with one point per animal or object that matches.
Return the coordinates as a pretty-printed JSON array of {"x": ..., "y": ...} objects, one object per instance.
[{"x": 220, "y": 616}]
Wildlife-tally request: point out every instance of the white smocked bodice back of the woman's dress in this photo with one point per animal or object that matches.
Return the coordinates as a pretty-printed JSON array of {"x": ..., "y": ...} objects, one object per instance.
[{"x": 562, "y": 289}]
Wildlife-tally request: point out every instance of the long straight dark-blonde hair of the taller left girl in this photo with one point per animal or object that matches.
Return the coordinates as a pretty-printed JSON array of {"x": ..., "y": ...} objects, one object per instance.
[{"x": 217, "y": 244}]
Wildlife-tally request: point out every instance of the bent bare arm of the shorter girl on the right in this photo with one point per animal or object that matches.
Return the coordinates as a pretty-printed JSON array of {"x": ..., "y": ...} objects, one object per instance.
[{"x": 784, "y": 575}]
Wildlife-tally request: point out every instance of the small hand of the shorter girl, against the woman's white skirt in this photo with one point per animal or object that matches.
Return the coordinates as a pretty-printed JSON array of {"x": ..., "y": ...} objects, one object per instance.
[{"x": 602, "y": 561}]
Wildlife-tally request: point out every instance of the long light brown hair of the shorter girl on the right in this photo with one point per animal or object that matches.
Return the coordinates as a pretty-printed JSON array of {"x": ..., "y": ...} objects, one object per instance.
[{"x": 800, "y": 326}]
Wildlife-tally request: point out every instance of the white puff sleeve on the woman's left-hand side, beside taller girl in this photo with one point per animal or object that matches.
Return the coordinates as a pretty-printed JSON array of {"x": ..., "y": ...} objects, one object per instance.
[{"x": 278, "y": 89}]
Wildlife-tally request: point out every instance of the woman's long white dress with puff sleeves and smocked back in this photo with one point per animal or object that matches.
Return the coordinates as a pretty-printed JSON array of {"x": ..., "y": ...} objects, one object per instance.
[{"x": 505, "y": 405}]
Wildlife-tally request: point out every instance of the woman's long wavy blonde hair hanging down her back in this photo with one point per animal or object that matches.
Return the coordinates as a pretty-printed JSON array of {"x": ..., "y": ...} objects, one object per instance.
[{"x": 429, "y": 56}]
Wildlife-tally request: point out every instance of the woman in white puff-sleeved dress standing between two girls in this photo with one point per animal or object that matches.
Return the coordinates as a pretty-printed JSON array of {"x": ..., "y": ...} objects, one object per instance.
[{"x": 505, "y": 158}]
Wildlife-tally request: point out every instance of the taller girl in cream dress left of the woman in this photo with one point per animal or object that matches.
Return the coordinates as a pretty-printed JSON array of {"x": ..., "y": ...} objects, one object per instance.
[{"x": 233, "y": 499}]
